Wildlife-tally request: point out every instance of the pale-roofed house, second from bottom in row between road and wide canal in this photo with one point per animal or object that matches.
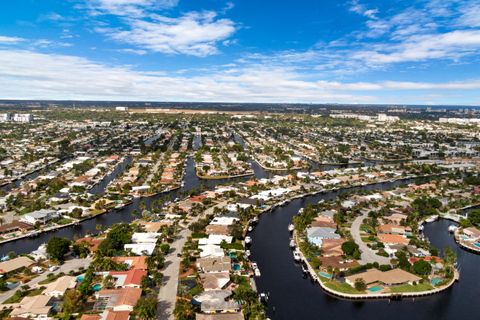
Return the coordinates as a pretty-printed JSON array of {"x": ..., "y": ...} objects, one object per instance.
[{"x": 215, "y": 301}]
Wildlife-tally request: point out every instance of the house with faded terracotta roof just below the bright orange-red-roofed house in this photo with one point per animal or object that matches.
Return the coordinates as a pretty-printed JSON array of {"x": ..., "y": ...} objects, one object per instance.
[{"x": 123, "y": 299}]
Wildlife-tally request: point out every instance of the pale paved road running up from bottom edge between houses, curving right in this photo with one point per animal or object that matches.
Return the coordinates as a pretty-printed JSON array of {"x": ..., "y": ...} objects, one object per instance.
[{"x": 168, "y": 291}]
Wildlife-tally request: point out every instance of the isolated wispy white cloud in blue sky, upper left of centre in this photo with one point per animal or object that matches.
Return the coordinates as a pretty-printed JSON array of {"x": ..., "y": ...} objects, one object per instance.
[{"x": 195, "y": 33}]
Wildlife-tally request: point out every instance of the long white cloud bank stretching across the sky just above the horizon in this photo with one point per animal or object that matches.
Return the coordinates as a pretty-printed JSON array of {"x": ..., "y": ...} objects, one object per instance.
[{"x": 32, "y": 75}]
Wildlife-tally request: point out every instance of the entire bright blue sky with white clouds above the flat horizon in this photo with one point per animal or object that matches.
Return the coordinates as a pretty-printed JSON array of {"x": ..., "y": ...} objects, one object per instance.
[{"x": 357, "y": 51}]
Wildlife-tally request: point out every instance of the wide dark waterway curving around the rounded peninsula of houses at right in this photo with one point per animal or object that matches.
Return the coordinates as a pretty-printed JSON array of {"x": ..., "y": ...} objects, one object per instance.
[{"x": 294, "y": 297}]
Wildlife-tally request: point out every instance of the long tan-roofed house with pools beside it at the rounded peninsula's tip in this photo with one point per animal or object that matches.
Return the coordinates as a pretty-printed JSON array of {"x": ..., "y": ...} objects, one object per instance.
[{"x": 388, "y": 278}]
